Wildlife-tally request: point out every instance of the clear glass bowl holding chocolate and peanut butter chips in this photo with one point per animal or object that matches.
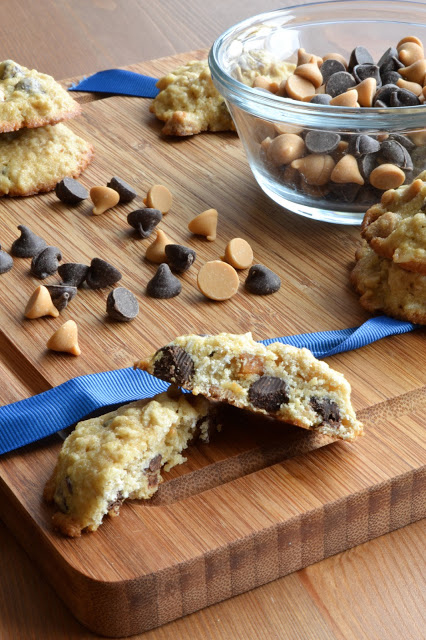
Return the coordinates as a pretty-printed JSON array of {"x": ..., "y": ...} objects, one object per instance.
[{"x": 260, "y": 116}]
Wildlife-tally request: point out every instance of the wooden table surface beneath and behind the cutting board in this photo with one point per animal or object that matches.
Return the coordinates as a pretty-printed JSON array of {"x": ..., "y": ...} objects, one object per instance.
[{"x": 376, "y": 590}]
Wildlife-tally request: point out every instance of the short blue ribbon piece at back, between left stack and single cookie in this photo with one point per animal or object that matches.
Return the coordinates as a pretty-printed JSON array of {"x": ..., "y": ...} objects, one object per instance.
[{"x": 120, "y": 82}]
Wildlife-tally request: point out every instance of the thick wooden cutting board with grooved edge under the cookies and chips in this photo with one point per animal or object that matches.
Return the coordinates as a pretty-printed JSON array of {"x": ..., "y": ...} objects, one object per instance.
[{"x": 254, "y": 504}]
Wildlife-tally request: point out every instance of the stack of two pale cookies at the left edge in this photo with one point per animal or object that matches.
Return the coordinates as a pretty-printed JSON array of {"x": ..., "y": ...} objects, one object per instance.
[{"x": 35, "y": 151}]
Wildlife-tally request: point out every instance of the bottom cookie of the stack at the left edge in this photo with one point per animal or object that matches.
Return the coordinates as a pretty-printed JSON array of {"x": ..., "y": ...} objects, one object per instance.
[{"x": 35, "y": 160}]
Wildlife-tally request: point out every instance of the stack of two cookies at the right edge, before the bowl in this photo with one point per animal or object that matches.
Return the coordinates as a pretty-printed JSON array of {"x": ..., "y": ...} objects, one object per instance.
[{"x": 390, "y": 273}]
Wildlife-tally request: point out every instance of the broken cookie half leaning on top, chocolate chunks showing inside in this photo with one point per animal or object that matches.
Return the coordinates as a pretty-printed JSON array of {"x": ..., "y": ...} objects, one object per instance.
[{"x": 279, "y": 380}]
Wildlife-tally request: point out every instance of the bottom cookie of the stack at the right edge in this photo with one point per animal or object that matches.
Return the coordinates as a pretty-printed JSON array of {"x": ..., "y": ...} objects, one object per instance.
[{"x": 387, "y": 288}]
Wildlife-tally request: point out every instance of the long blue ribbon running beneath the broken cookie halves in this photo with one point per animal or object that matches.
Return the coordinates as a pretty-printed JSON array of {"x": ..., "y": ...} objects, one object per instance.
[{"x": 42, "y": 415}]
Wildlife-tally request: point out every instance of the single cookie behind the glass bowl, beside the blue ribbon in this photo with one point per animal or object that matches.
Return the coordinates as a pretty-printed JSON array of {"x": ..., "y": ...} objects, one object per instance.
[{"x": 189, "y": 102}]
